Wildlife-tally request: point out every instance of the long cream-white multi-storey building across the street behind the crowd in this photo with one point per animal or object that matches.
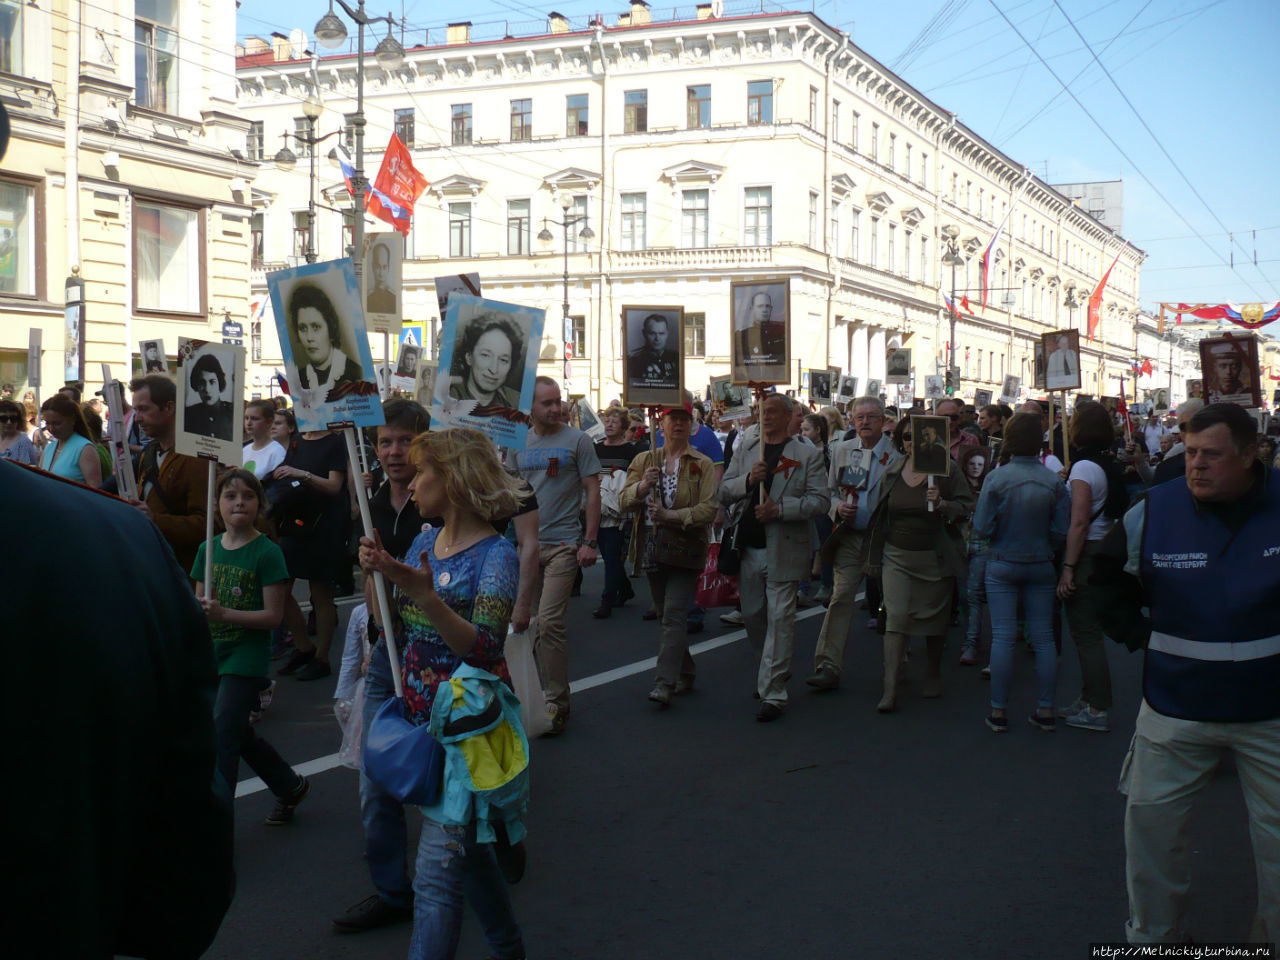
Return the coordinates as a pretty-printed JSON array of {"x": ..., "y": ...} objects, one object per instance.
[{"x": 701, "y": 153}]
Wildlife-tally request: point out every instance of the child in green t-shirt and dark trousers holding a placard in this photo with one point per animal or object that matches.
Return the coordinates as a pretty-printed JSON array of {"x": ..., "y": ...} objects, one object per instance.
[{"x": 246, "y": 602}]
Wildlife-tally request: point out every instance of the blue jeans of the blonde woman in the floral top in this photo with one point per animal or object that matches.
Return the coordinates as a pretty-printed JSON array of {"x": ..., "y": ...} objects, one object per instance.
[{"x": 451, "y": 867}]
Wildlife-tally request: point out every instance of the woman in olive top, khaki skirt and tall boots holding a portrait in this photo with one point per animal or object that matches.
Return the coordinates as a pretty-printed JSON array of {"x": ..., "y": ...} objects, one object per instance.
[{"x": 920, "y": 556}]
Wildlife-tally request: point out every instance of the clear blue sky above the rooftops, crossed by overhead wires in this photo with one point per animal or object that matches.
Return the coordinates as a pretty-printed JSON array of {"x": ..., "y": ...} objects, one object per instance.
[{"x": 1196, "y": 72}]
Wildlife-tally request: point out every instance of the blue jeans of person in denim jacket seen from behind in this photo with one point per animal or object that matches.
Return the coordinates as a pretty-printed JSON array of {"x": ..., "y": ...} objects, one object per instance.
[{"x": 1035, "y": 584}]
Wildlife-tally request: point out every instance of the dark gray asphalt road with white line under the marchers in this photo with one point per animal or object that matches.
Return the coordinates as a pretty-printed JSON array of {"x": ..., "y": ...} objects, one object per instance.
[{"x": 698, "y": 833}]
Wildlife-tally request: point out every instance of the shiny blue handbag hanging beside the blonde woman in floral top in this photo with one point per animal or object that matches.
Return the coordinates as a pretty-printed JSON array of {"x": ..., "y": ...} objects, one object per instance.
[{"x": 403, "y": 758}]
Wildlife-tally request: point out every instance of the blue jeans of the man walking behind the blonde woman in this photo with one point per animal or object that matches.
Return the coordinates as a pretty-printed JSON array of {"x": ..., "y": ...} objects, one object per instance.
[{"x": 386, "y": 834}]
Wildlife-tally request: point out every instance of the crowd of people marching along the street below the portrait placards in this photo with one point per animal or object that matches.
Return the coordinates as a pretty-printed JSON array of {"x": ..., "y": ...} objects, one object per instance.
[{"x": 1108, "y": 525}]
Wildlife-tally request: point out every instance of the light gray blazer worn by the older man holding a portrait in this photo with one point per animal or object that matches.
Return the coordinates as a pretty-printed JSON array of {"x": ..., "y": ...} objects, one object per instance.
[{"x": 801, "y": 493}]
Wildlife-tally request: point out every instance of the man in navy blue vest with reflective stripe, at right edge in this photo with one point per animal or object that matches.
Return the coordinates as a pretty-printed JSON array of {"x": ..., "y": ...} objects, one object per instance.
[{"x": 1212, "y": 684}]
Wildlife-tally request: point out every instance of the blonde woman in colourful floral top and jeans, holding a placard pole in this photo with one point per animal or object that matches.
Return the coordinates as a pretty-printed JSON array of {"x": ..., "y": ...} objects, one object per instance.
[{"x": 452, "y": 602}]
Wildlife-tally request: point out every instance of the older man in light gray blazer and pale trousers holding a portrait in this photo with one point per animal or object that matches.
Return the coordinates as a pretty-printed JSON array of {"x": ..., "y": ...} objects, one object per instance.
[{"x": 774, "y": 536}]
